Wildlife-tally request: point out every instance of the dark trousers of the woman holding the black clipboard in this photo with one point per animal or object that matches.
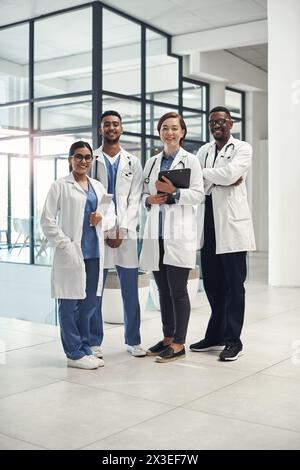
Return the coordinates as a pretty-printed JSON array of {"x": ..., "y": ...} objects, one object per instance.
[{"x": 173, "y": 298}]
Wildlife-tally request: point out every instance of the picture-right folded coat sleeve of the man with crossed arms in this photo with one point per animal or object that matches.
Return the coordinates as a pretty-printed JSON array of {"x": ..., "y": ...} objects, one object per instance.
[{"x": 230, "y": 173}]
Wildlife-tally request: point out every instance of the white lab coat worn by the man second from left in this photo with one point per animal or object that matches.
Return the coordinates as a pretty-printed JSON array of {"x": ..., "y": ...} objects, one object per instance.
[{"x": 128, "y": 197}]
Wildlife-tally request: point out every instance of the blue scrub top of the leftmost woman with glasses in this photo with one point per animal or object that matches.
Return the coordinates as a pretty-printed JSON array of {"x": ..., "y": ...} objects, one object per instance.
[{"x": 89, "y": 240}]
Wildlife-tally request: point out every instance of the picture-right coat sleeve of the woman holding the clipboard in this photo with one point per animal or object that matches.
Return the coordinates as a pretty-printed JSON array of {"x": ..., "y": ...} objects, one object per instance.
[{"x": 195, "y": 193}]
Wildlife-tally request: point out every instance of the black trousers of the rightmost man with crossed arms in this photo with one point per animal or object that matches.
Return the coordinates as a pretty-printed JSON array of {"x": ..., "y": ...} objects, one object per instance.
[{"x": 223, "y": 278}]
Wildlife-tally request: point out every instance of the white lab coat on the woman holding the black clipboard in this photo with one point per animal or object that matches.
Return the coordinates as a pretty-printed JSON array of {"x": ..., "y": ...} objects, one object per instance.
[{"x": 180, "y": 222}]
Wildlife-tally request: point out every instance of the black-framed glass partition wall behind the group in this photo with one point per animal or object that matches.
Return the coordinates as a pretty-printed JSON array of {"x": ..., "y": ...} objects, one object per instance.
[{"x": 53, "y": 91}]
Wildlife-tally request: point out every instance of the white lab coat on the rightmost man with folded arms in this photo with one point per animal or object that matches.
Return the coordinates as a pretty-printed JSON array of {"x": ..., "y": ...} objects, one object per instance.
[{"x": 232, "y": 217}]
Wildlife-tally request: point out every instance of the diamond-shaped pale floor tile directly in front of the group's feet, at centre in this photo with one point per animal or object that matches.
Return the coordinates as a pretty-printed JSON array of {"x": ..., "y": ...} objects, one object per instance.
[{"x": 173, "y": 383}]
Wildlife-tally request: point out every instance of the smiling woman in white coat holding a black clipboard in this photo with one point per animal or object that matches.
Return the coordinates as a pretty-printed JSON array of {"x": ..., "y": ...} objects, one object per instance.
[{"x": 170, "y": 234}]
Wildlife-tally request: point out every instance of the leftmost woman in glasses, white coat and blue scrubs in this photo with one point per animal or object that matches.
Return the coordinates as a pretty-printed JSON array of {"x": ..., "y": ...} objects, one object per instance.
[{"x": 73, "y": 220}]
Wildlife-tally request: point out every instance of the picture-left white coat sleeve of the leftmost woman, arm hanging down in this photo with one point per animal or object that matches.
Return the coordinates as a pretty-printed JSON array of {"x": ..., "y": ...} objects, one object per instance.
[{"x": 49, "y": 223}]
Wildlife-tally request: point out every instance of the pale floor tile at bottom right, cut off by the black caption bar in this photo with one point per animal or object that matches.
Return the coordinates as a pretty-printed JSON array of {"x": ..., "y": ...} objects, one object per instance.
[{"x": 187, "y": 429}]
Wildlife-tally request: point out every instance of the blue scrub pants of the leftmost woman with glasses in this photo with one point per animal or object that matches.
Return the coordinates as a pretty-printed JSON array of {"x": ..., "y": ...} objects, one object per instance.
[{"x": 75, "y": 315}]
